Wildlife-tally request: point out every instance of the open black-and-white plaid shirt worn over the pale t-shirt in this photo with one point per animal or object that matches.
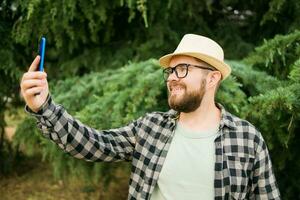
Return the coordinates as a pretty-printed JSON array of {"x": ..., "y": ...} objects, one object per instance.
[{"x": 243, "y": 168}]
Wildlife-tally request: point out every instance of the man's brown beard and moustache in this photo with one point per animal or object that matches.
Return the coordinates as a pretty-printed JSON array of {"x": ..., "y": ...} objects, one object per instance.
[{"x": 189, "y": 101}]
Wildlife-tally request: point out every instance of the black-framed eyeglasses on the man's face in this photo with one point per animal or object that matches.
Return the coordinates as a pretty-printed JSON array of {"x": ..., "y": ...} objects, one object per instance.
[{"x": 181, "y": 70}]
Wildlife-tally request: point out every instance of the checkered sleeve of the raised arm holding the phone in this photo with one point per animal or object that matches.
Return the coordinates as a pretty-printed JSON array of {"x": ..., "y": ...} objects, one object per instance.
[{"x": 82, "y": 141}]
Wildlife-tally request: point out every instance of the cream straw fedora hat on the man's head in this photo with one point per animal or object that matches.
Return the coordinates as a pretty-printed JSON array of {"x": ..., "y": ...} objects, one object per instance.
[{"x": 202, "y": 48}]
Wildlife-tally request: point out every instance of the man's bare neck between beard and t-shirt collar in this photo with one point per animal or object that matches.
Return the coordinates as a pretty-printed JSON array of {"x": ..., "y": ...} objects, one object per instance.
[{"x": 206, "y": 116}]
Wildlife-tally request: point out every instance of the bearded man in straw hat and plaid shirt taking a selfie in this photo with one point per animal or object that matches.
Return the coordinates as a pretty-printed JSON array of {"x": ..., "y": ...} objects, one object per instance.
[{"x": 197, "y": 150}]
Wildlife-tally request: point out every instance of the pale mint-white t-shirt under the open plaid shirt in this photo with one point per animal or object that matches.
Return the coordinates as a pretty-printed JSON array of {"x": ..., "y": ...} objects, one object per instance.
[{"x": 188, "y": 171}]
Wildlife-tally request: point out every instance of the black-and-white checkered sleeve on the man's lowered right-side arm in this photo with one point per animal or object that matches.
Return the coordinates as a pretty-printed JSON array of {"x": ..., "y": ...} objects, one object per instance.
[{"x": 264, "y": 185}]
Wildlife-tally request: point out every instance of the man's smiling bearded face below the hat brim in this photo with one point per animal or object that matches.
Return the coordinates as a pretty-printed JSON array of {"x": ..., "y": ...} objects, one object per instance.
[{"x": 186, "y": 94}]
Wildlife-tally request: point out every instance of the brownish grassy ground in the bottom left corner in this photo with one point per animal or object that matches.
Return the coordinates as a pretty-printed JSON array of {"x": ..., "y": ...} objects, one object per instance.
[{"x": 33, "y": 181}]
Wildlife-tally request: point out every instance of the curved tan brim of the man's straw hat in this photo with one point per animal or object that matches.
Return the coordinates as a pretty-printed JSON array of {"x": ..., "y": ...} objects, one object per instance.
[{"x": 225, "y": 69}]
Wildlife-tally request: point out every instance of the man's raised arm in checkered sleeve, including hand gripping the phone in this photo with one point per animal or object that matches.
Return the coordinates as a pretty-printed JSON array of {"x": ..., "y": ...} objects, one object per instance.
[{"x": 68, "y": 133}]
